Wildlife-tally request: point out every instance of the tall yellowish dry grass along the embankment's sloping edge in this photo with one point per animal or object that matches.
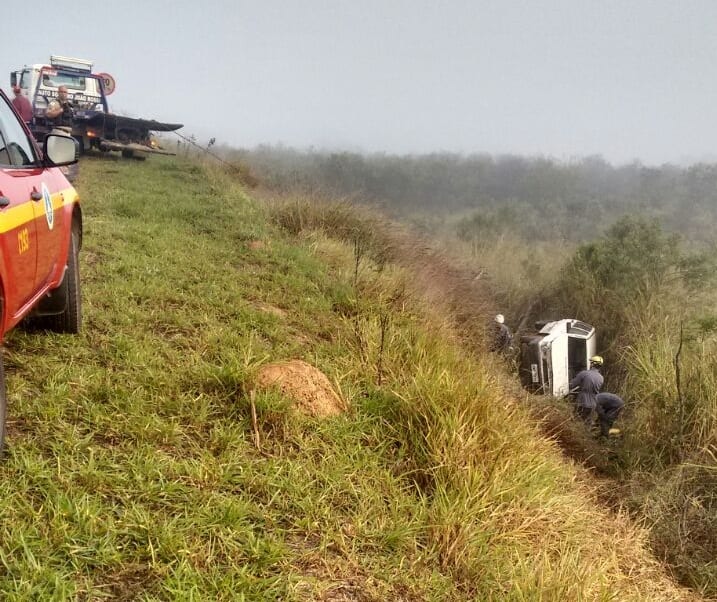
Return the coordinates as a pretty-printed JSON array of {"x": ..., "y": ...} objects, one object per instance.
[{"x": 506, "y": 516}]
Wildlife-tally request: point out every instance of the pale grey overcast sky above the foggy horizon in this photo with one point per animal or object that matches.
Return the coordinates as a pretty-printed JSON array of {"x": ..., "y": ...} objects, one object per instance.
[{"x": 560, "y": 78}]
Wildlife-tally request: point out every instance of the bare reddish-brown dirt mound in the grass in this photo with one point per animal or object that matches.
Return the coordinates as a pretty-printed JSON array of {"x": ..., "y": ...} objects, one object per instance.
[{"x": 305, "y": 385}]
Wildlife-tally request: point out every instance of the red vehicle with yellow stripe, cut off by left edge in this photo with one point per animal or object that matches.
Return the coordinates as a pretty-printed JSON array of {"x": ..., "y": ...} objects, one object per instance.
[{"x": 40, "y": 233}]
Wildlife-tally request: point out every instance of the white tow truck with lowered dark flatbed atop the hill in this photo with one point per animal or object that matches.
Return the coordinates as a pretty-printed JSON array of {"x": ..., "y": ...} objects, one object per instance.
[{"x": 92, "y": 125}]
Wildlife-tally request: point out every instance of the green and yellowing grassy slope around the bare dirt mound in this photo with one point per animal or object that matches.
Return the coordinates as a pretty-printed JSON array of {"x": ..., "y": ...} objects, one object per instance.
[{"x": 133, "y": 470}]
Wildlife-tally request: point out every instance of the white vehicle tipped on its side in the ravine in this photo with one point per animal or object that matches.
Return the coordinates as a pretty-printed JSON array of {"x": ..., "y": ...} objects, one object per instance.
[{"x": 552, "y": 356}]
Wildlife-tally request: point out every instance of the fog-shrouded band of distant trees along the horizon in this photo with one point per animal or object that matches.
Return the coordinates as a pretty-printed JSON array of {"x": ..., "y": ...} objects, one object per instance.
[{"x": 535, "y": 197}]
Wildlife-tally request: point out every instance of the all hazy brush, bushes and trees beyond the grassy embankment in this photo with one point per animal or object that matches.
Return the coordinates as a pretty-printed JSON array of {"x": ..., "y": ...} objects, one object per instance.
[{"x": 630, "y": 249}]
